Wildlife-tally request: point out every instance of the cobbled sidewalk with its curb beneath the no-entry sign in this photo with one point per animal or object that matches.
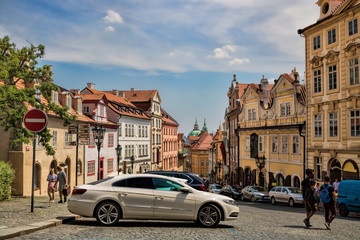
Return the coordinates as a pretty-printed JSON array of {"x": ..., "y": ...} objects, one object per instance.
[{"x": 16, "y": 218}]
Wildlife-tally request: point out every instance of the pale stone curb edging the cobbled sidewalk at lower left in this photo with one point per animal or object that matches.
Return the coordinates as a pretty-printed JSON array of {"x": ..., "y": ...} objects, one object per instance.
[{"x": 33, "y": 227}]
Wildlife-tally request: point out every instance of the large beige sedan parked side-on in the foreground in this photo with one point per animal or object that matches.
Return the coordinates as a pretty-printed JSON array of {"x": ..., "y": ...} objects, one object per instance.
[{"x": 148, "y": 196}]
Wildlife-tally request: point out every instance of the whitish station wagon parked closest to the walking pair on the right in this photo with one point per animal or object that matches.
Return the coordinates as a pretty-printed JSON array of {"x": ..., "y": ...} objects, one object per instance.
[{"x": 289, "y": 195}]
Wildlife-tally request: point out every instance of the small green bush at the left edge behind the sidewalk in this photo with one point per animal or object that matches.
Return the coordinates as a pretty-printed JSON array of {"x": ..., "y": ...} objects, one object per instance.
[{"x": 7, "y": 175}]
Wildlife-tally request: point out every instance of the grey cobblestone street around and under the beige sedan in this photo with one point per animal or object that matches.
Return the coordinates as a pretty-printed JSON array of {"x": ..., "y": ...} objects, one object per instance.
[{"x": 256, "y": 221}]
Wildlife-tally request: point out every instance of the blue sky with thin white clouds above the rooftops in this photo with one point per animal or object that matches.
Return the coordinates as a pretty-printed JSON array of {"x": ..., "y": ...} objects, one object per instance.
[{"x": 188, "y": 50}]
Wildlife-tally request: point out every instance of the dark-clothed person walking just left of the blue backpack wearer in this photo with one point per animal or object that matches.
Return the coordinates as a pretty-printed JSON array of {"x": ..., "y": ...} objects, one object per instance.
[{"x": 308, "y": 187}]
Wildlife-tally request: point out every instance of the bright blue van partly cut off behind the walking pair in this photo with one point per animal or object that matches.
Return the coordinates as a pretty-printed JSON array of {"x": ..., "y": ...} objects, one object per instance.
[{"x": 348, "y": 199}]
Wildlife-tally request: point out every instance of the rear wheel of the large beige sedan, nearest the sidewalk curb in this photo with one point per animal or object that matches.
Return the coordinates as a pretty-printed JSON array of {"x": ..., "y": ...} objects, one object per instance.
[{"x": 107, "y": 213}]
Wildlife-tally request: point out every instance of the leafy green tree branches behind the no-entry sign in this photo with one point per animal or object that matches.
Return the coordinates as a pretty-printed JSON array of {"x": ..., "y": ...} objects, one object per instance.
[{"x": 21, "y": 65}]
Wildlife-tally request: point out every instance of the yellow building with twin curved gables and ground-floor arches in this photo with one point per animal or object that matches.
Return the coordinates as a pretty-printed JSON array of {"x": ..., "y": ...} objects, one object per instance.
[{"x": 276, "y": 115}]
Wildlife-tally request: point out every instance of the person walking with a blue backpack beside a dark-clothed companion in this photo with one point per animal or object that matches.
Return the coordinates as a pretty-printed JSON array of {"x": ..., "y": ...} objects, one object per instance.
[{"x": 327, "y": 196}]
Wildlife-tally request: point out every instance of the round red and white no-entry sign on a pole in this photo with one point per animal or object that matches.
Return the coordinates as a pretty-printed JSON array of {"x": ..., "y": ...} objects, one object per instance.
[{"x": 35, "y": 120}]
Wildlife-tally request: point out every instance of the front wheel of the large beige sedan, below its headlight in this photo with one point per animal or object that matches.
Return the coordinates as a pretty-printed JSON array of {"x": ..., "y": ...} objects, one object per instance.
[{"x": 209, "y": 216}]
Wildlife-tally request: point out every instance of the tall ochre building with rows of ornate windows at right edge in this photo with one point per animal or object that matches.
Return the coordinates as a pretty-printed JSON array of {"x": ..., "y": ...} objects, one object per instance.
[{"x": 333, "y": 92}]
